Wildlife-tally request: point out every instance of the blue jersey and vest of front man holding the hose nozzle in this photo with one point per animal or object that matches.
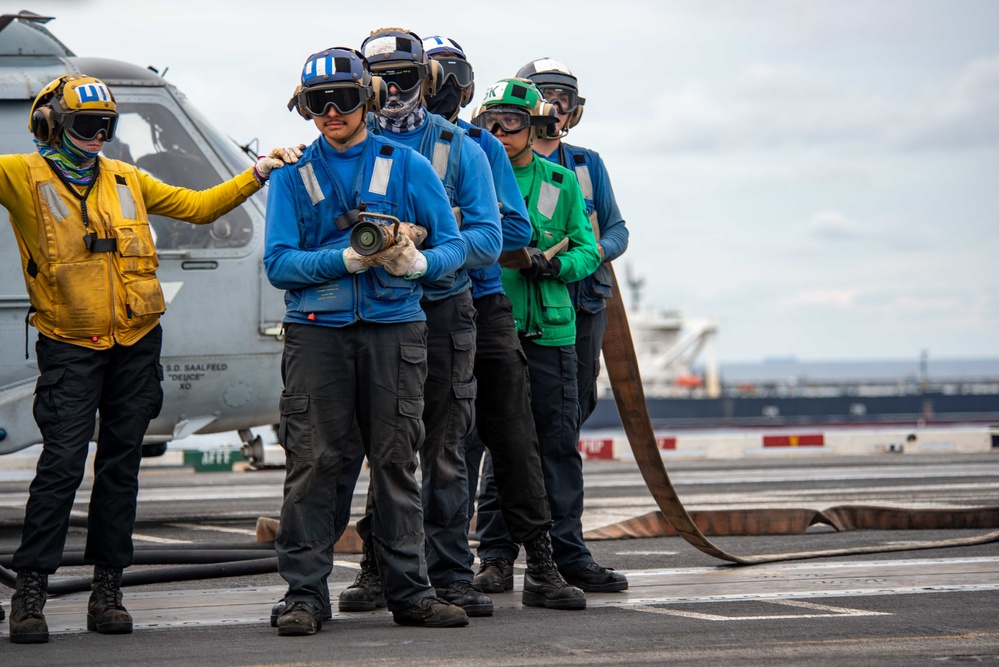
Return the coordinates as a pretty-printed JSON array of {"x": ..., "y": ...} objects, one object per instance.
[{"x": 303, "y": 248}]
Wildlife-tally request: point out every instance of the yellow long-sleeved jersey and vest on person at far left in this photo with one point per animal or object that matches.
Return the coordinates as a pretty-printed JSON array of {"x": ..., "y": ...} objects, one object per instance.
[{"x": 99, "y": 299}]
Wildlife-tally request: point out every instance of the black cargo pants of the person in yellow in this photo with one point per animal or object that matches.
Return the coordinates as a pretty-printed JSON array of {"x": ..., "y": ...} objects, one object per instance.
[{"x": 124, "y": 383}]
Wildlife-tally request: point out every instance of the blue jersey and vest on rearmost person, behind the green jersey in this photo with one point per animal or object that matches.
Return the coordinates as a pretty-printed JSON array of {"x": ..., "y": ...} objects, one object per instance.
[{"x": 589, "y": 293}]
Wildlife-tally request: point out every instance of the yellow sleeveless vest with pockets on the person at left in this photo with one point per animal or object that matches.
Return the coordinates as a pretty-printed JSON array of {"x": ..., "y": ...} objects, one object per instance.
[{"x": 99, "y": 292}]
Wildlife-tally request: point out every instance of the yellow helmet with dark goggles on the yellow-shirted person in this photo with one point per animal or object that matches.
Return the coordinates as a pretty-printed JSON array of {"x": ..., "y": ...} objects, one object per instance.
[{"x": 82, "y": 105}]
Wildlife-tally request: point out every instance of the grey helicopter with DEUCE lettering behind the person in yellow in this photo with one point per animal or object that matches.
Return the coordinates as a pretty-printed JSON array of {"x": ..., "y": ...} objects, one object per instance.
[{"x": 222, "y": 328}]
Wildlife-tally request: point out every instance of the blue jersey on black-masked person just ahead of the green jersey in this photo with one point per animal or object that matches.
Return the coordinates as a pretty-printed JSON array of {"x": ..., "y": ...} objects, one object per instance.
[{"x": 513, "y": 213}]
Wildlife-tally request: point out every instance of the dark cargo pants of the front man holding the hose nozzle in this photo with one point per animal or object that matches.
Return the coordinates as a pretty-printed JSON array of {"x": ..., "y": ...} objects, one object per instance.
[{"x": 375, "y": 372}]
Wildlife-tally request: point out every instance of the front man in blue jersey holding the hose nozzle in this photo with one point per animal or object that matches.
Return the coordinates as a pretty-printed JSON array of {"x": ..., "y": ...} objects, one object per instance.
[{"x": 355, "y": 341}]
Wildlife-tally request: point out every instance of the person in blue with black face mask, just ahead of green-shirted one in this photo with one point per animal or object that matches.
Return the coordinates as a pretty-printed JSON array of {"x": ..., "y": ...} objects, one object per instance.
[{"x": 503, "y": 406}]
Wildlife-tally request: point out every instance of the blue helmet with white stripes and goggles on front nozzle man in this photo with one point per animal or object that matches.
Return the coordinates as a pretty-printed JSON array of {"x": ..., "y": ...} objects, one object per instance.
[{"x": 339, "y": 77}]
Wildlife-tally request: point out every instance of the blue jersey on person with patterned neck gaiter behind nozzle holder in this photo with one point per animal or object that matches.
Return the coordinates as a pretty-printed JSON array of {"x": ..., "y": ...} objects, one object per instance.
[{"x": 469, "y": 187}]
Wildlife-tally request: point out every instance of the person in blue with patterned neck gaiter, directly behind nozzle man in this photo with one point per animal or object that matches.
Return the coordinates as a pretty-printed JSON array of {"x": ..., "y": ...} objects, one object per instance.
[{"x": 397, "y": 57}]
